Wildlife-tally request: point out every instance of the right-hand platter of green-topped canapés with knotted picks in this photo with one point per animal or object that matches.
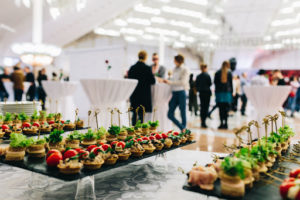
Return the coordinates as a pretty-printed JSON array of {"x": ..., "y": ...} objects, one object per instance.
[{"x": 253, "y": 168}]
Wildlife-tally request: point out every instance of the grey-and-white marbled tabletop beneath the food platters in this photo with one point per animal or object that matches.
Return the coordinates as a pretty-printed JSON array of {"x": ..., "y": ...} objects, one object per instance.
[{"x": 152, "y": 178}]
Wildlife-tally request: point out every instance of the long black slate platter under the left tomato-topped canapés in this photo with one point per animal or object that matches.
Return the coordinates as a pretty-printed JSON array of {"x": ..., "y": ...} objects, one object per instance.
[{"x": 40, "y": 166}]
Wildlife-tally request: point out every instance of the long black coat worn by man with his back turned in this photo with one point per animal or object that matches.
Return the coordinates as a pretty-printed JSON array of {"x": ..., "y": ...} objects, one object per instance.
[{"x": 142, "y": 92}]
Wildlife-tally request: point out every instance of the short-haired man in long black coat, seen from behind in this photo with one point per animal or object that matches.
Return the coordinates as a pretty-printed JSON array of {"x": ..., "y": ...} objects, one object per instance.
[{"x": 142, "y": 93}]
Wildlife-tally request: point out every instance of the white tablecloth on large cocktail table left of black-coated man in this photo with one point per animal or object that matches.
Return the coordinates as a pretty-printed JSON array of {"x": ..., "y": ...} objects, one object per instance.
[{"x": 109, "y": 93}]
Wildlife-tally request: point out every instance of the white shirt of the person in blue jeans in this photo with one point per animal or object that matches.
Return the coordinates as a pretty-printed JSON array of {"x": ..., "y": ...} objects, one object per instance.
[{"x": 180, "y": 79}]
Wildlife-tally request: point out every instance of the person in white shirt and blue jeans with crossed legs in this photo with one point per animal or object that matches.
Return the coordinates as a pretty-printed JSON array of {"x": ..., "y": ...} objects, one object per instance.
[{"x": 179, "y": 84}]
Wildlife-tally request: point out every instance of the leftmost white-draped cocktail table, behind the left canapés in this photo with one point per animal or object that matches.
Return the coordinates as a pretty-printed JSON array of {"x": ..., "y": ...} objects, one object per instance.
[{"x": 60, "y": 97}]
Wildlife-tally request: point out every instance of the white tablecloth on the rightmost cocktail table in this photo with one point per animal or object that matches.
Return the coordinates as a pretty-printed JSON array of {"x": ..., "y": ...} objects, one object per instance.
[{"x": 267, "y": 100}]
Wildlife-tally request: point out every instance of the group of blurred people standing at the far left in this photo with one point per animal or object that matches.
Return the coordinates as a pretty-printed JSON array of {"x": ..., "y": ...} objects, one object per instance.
[{"x": 18, "y": 77}]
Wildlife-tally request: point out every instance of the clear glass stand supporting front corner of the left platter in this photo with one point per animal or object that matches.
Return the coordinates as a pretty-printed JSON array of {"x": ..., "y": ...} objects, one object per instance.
[{"x": 86, "y": 189}]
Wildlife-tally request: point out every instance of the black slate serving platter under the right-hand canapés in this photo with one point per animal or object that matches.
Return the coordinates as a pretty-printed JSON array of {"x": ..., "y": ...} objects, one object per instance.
[{"x": 265, "y": 188}]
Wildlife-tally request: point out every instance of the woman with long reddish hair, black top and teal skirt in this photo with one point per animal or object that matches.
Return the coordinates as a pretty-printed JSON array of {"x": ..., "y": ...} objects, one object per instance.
[{"x": 223, "y": 90}]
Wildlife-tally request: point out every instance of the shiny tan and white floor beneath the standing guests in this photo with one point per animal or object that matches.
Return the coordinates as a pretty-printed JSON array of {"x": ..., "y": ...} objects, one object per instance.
[{"x": 213, "y": 140}]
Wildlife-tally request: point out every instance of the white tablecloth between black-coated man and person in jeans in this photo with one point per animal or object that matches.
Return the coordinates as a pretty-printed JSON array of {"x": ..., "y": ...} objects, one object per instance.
[{"x": 161, "y": 94}]
